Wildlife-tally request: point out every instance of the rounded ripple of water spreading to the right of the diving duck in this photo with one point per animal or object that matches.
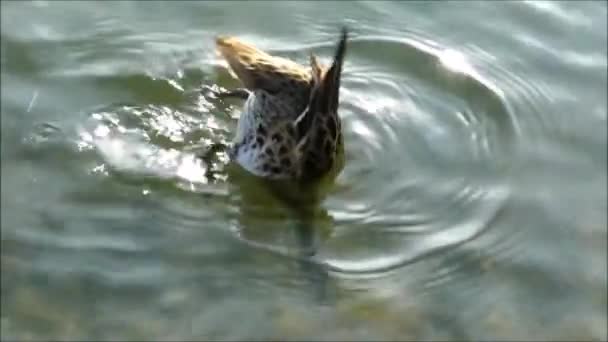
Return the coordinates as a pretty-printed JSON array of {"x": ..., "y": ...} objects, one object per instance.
[{"x": 450, "y": 180}]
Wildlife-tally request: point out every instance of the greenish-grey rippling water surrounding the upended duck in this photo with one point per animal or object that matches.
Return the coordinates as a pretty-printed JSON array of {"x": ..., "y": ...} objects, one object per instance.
[{"x": 472, "y": 205}]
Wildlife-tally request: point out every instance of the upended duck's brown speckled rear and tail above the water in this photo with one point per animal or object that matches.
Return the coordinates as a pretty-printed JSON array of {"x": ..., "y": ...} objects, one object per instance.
[{"x": 289, "y": 127}]
